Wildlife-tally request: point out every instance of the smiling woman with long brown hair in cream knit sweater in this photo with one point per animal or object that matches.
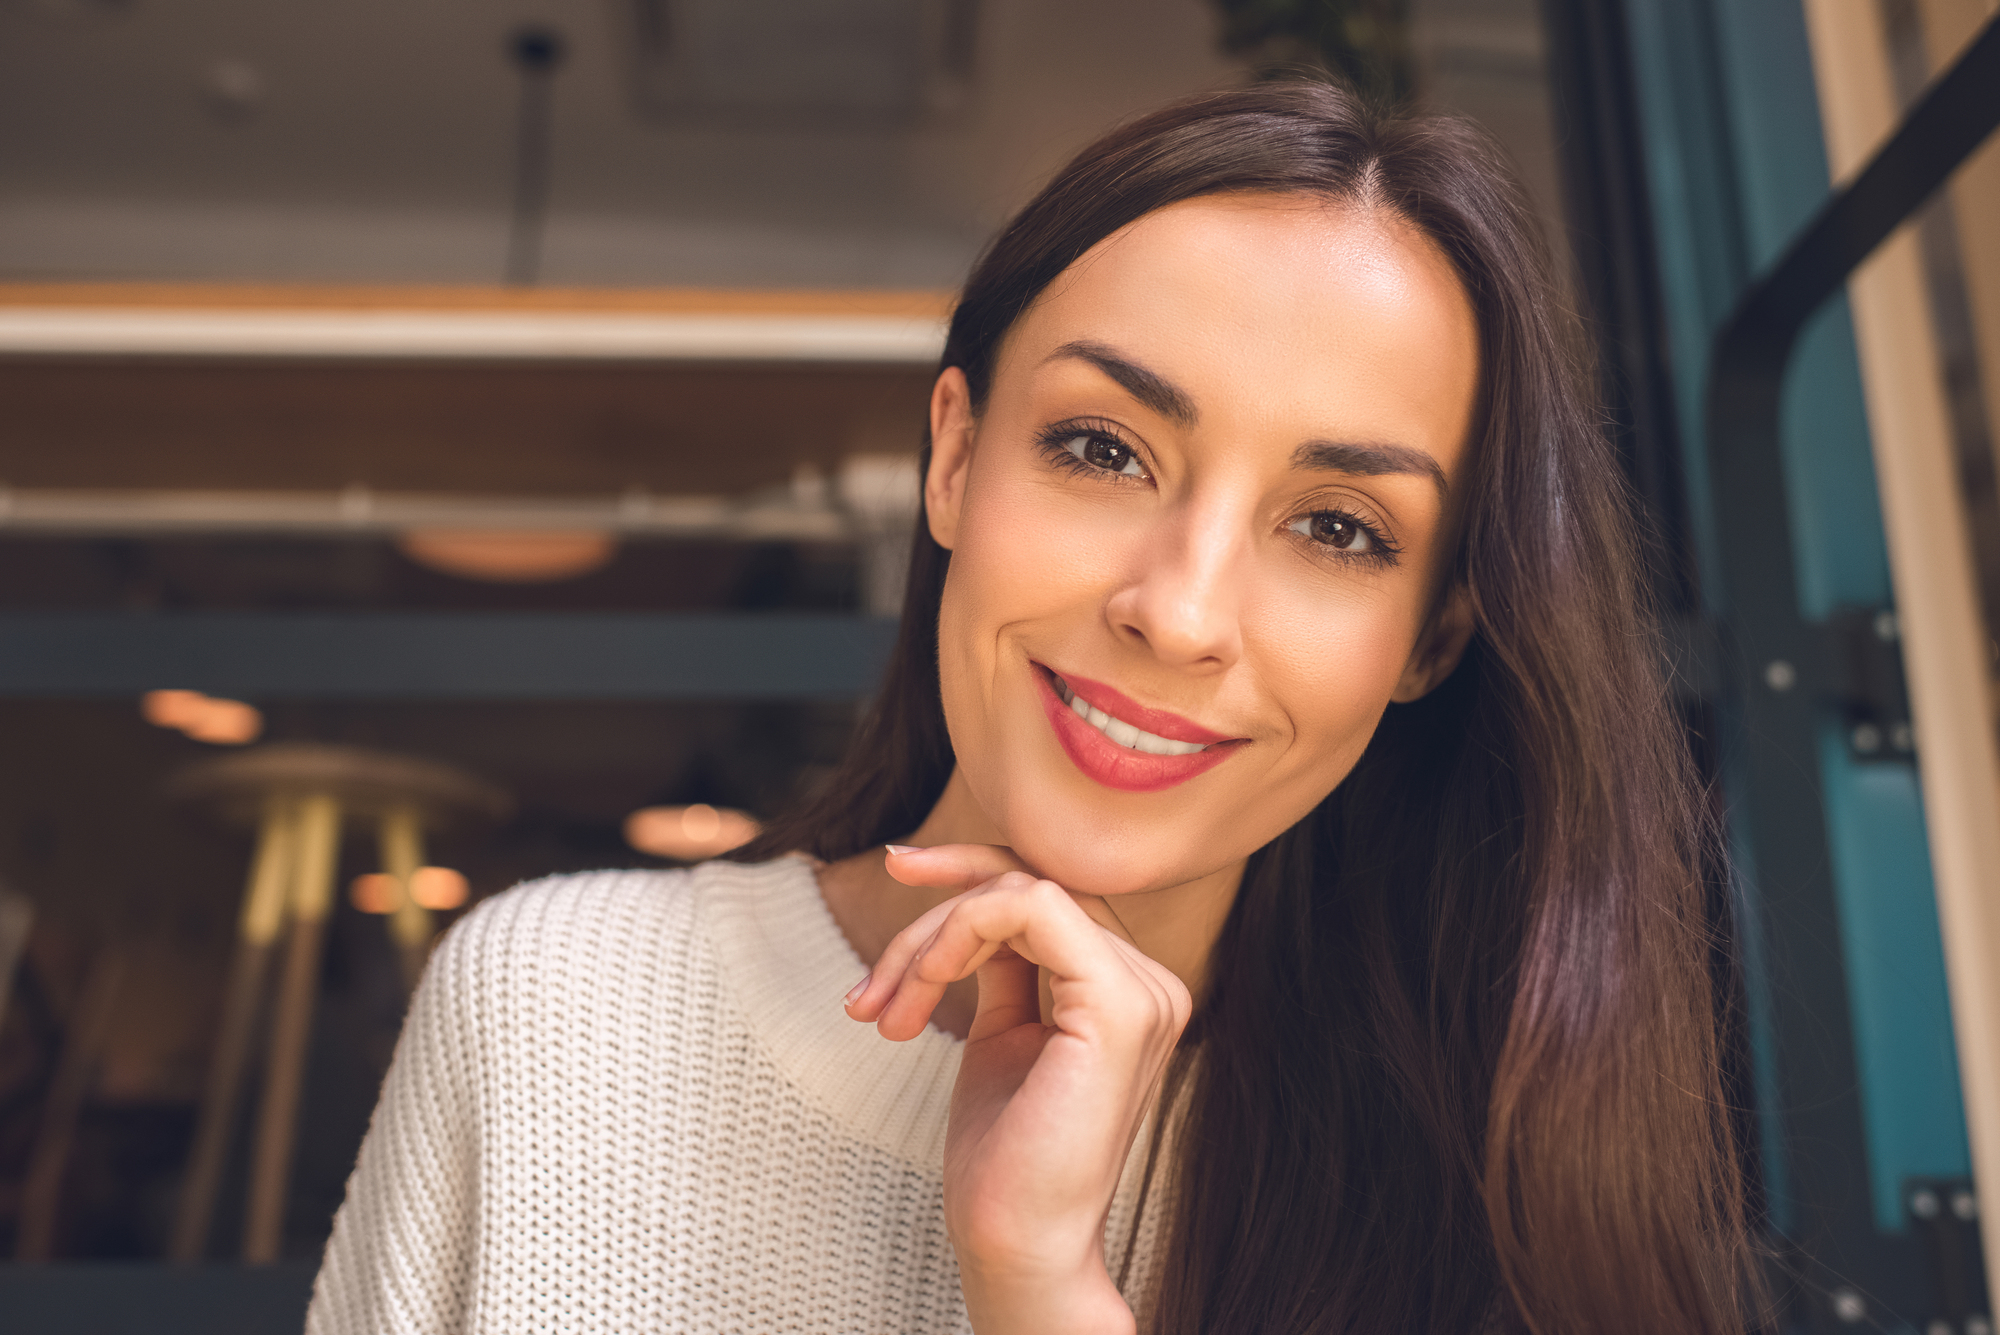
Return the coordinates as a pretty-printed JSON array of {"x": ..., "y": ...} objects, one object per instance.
[{"x": 1295, "y": 914}]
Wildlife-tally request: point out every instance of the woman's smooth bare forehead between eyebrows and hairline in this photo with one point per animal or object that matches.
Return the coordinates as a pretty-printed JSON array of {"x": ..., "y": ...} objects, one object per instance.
[{"x": 1275, "y": 311}]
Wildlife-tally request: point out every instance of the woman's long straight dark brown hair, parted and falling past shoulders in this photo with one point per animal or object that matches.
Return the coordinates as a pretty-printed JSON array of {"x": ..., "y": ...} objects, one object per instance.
[{"x": 1459, "y": 1060}]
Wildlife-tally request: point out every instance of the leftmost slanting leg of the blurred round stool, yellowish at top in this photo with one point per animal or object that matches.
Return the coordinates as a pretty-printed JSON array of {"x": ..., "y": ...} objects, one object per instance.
[{"x": 257, "y": 936}]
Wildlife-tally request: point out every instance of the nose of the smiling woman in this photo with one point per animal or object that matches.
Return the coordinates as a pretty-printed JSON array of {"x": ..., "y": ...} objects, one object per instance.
[{"x": 1185, "y": 597}]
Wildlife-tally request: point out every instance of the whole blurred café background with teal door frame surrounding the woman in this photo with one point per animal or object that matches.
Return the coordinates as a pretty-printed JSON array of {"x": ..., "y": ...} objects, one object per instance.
[{"x": 453, "y": 443}]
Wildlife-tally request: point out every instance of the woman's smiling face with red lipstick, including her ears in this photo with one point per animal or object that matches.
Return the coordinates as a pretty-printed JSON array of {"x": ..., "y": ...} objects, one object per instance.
[{"x": 1201, "y": 533}]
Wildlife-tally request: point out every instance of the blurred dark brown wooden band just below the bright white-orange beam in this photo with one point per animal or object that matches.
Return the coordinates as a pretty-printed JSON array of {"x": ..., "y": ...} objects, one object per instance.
[{"x": 553, "y": 429}]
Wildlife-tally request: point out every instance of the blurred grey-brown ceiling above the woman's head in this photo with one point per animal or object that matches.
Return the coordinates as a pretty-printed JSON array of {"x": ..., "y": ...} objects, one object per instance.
[{"x": 709, "y": 143}]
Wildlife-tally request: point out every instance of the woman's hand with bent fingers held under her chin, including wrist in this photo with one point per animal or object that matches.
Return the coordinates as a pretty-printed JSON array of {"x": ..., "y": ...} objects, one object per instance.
[{"x": 1043, "y": 1116}]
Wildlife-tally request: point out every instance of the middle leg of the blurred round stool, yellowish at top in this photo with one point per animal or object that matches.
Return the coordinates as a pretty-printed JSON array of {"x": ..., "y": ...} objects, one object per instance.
[{"x": 317, "y": 854}]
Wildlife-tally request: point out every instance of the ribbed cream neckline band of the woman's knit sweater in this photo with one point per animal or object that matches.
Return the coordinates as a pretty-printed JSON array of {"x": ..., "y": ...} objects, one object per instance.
[{"x": 789, "y": 966}]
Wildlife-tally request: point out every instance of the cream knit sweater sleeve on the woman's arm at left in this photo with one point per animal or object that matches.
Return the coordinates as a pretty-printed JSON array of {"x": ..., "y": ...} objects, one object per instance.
[{"x": 403, "y": 1242}]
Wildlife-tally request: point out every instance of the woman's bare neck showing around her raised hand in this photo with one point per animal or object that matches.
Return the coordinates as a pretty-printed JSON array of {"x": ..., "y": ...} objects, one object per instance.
[{"x": 1175, "y": 926}]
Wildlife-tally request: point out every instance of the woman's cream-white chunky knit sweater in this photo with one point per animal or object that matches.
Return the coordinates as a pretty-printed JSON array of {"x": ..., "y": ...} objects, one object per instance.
[{"x": 633, "y": 1102}]
